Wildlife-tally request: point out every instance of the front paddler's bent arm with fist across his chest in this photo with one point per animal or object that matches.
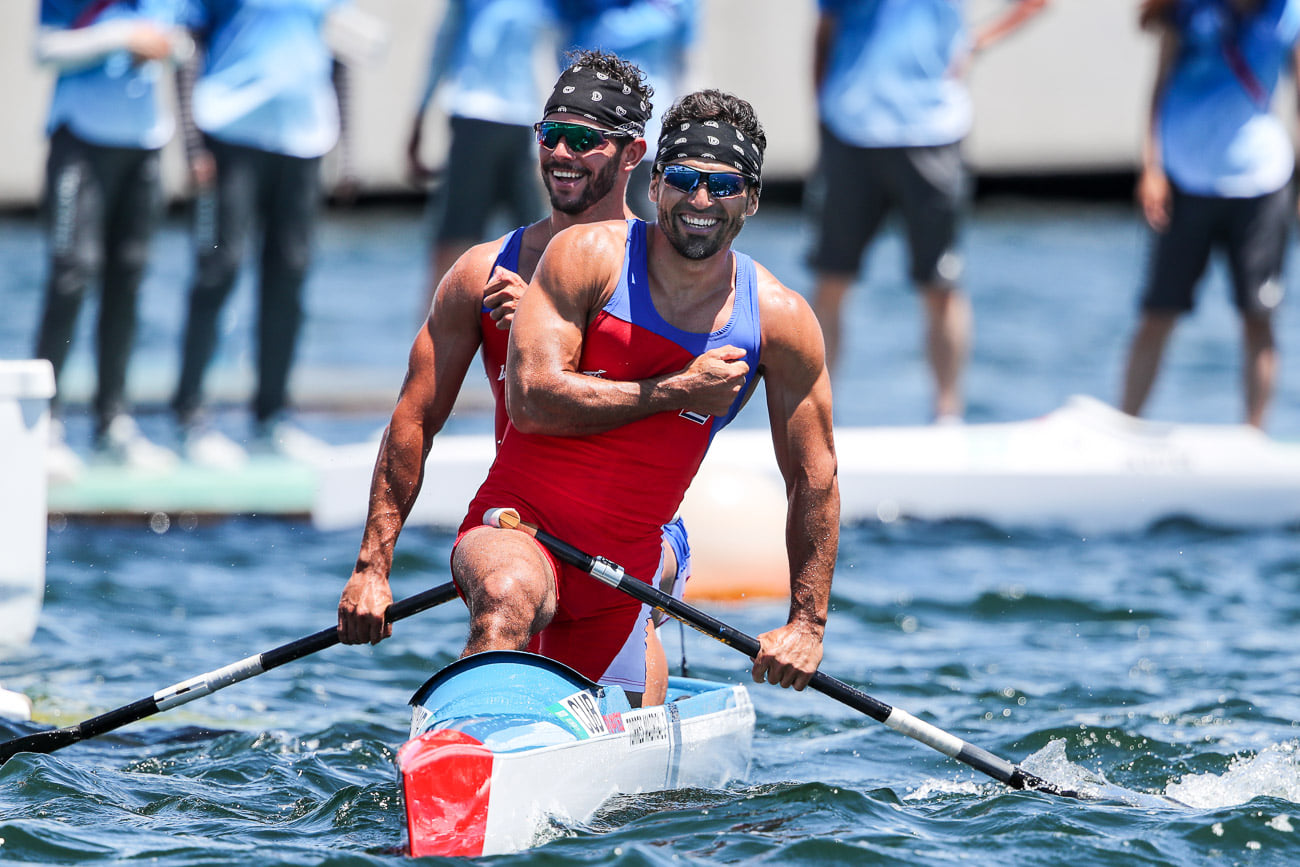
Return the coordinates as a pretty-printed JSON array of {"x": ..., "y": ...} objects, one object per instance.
[{"x": 545, "y": 391}]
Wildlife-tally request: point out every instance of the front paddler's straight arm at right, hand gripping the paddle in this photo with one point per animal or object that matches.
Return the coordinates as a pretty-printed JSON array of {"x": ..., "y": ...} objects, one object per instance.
[{"x": 799, "y": 405}]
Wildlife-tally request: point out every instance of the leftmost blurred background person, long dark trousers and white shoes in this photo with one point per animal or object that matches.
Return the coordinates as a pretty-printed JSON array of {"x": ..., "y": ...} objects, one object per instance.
[{"x": 103, "y": 194}]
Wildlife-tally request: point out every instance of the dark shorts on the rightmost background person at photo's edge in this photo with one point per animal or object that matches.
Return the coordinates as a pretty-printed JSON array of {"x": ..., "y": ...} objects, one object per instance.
[{"x": 1251, "y": 232}]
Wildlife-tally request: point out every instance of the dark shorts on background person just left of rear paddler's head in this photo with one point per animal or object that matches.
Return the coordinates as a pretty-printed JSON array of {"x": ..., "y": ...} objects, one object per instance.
[{"x": 489, "y": 167}]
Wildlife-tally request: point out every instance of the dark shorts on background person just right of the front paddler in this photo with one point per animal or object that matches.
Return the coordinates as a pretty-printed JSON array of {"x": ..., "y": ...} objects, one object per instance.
[{"x": 857, "y": 190}]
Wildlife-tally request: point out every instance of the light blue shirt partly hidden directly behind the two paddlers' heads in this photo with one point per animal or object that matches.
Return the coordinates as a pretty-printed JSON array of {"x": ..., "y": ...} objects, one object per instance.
[{"x": 653, "y": 34}]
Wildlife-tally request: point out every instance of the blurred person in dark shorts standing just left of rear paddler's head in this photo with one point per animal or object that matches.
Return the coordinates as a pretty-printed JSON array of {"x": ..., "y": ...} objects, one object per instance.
[{"x": 483, "y": 66}]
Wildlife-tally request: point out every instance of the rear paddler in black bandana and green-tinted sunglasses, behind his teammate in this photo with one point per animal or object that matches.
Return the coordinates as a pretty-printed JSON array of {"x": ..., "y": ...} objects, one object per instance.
[{"x": 590, "y": 142}]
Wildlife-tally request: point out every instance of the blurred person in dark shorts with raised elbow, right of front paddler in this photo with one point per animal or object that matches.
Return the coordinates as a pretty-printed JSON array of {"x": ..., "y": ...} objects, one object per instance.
[{"x": 894, "y": 111}]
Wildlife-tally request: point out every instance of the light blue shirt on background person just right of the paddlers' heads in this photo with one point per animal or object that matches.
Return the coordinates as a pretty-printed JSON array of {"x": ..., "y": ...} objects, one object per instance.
[{"x": 889, "y": 80}]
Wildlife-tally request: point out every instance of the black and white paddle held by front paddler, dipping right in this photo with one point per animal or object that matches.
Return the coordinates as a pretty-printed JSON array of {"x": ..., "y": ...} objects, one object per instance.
[{"x": 900, "y": 721}]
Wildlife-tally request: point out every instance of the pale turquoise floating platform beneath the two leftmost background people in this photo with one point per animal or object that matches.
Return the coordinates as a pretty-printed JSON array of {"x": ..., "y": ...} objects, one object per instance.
[{"x": 263, "y": 487}]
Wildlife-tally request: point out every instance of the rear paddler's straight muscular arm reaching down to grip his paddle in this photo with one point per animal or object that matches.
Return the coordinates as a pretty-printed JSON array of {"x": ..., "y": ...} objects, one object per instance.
[{"x": 444, "y": 350}]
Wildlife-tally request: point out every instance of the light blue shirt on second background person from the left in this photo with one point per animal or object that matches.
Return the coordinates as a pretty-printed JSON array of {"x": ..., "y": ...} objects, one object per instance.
[{"x": 267, "y": 76}]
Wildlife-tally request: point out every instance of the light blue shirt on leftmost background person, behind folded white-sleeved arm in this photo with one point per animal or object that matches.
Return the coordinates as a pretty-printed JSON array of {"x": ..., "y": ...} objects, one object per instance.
[{"x": 115, "y": 102}]
